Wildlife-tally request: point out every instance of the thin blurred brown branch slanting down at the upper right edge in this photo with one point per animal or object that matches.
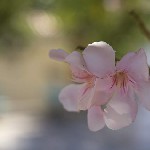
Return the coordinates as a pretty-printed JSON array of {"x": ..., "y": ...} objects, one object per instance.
[{"x": 141, "y": 24}]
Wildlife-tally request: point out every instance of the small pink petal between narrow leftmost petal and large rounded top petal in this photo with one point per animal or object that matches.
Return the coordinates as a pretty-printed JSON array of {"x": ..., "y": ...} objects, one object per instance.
[{"x": 76, "y": 59}]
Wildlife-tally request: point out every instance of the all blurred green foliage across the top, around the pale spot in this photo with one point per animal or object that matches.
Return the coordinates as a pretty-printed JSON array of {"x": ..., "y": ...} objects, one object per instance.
[{"x": 82, "y": 21}]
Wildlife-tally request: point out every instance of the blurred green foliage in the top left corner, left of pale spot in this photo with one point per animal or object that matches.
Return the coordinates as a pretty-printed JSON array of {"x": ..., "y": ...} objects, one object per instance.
[{"x": 12, "y": 26}]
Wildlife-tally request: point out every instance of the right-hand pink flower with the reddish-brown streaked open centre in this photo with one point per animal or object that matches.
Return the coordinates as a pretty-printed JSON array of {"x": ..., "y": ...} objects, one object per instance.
[{"x": 127, "y": 82}]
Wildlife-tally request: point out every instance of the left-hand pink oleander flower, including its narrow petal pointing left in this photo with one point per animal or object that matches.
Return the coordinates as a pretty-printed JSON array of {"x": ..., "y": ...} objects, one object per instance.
[{"x": 83, "y": 93}]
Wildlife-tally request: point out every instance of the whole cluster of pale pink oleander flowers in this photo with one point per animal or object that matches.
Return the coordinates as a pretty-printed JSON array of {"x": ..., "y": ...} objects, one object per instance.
[{"x": 109, "y": 90}]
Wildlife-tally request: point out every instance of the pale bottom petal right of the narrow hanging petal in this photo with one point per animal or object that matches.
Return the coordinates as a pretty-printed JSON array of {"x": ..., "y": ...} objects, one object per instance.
[{"x": 115, "y": 120}]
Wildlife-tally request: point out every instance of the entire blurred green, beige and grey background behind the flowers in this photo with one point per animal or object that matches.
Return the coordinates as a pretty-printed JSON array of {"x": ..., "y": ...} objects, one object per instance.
[{"x": 31, "y": 118}]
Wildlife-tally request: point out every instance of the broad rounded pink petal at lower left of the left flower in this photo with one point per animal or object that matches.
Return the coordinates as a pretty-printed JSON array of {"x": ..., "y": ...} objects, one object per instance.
[{"x": 76, "y": 97}]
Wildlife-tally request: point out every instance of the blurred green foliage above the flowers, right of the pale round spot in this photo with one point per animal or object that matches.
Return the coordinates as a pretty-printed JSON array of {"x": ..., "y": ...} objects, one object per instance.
[{"x": 85, "y": 21}]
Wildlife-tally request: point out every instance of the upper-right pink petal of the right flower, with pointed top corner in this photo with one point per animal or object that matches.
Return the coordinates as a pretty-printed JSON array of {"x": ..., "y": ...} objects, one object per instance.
[{"x": 136, "y": 65}]
